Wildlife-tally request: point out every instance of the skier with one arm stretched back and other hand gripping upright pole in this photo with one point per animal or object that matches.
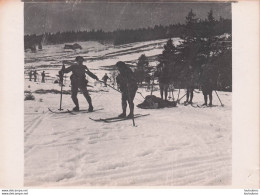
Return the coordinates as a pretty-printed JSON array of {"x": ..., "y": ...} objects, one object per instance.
[{"x": 78, "y": 80}]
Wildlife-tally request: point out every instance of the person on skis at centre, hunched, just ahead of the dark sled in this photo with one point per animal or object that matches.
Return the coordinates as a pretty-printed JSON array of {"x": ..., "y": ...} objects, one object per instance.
[{"x": 128, "y": 86}]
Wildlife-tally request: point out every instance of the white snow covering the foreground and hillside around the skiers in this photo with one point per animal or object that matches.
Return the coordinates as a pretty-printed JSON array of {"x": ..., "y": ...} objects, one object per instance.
[{"x": 171, "y": 147}]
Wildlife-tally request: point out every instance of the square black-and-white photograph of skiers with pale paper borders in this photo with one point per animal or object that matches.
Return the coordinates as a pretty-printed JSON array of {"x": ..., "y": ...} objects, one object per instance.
[{"x": 127, "y": 94}]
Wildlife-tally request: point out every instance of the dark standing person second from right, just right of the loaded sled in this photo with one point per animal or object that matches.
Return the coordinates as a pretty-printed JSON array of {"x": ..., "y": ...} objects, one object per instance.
[{"x": 189, "y": 85}]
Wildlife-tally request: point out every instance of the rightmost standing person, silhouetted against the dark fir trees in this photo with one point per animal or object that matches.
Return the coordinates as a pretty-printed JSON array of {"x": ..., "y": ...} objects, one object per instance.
[{"x": 206, "y": 80}]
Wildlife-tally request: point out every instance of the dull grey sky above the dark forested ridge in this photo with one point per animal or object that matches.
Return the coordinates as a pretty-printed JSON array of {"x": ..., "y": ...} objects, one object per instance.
[{"x": 54, "y": 17}]
